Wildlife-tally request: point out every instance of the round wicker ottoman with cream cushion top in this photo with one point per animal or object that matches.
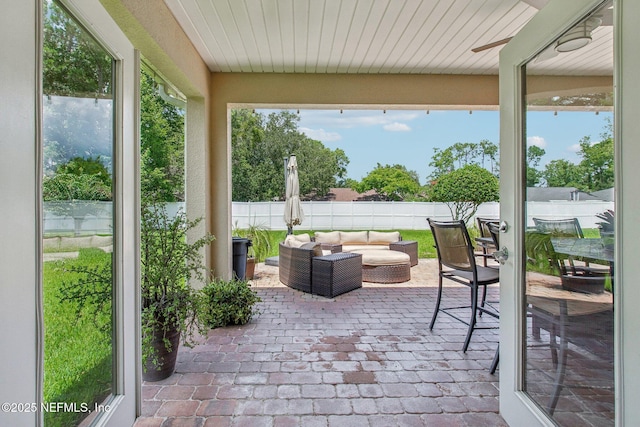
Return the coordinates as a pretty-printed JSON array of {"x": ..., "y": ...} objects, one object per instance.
[{"x": 380, "y": 266}]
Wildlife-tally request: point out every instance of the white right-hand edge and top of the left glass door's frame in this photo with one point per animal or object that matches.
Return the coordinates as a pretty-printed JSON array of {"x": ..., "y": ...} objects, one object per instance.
[{"x": 126, "y": 369}]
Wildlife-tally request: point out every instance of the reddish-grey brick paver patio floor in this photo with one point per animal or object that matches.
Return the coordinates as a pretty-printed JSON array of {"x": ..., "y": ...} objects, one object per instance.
[{"x": 365, "y": 358}]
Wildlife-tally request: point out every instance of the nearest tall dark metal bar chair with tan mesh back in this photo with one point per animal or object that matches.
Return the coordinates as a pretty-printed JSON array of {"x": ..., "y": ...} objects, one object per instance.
[{"x": 456, "y": 262}]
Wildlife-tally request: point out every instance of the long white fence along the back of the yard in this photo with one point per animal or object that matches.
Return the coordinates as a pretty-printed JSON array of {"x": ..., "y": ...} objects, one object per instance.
[{"x": 88, "y": 218}]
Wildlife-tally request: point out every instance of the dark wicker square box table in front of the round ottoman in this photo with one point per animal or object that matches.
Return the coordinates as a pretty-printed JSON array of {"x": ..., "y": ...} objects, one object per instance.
[{"x": 336, "y": 274}]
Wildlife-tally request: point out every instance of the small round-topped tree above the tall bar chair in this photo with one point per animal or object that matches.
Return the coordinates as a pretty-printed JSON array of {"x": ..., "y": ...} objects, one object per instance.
[{"x": 464, "y": 189}]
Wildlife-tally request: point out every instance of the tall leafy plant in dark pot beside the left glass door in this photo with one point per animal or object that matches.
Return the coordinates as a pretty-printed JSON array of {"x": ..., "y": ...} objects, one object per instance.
[{"x": 169, "y": 304}]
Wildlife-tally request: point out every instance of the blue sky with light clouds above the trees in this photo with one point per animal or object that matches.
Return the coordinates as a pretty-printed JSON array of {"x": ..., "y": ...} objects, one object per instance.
[{"x": 408, "y": 137}]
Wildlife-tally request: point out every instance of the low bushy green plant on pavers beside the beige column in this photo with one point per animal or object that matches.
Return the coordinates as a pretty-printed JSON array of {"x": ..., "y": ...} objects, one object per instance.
[{"x": 228, "y": 302}]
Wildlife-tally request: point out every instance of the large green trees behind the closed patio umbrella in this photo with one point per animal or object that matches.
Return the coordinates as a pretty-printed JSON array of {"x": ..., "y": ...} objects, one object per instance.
[{"x": 259, "y": 146}]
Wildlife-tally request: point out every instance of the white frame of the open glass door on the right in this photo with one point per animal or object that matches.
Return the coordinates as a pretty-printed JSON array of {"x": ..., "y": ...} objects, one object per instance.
[{"x": 554, "y": 19}]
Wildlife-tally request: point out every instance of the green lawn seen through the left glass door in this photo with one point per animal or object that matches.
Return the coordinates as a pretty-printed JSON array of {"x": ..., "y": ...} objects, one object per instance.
[{"x": 77, "y": 349}]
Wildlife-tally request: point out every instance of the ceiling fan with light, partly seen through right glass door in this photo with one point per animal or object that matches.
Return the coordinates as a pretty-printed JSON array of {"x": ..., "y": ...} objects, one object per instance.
[{"x": 574, "y": 39}]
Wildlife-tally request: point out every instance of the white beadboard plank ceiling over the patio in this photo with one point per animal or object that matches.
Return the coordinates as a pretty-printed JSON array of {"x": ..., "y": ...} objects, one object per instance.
[{"x": 370, "y": 36}]
